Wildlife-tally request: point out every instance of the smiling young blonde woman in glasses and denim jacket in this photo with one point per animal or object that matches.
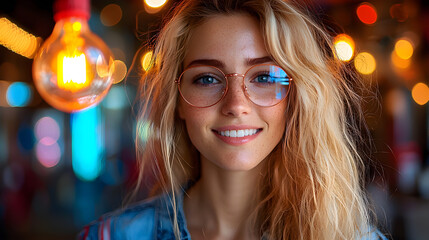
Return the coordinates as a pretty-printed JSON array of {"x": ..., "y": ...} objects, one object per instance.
[{"x": 252, "y": 131}]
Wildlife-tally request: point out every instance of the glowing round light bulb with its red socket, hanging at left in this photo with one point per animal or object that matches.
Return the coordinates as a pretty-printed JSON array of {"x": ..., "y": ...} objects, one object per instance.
[{"x": 73, "y": 69}]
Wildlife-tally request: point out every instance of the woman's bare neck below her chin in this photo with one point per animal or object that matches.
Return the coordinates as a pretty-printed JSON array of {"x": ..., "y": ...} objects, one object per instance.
[{"x": 220, "y": 203}]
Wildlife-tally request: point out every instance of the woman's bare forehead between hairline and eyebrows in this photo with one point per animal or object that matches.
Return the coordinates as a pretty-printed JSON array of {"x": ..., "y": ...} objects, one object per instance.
[{"x": 228, "y": 38}]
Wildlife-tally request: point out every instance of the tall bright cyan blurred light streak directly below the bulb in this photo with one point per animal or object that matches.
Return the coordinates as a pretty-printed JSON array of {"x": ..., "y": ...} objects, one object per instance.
[{"x": 87, "y": 145}]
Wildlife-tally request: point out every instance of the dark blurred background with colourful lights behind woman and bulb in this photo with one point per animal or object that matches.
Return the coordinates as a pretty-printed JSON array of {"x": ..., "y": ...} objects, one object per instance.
[{"x": 60, "y": 171}]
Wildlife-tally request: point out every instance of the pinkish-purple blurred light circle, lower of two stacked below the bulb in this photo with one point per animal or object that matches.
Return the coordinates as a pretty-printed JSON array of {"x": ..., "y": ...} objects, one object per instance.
[{"x": 48, "y": 153}]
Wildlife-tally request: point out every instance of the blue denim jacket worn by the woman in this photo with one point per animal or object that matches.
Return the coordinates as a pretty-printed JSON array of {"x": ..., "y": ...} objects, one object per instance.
[{"x": 150, "y": 220}]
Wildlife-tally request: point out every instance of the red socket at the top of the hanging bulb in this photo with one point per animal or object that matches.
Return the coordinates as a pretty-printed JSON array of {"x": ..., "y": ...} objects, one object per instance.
[{"x": 71, "y": 8}]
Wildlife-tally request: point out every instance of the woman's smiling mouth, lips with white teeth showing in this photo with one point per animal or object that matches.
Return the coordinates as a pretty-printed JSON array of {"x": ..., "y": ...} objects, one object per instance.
[{"x": 237, "y": 136}]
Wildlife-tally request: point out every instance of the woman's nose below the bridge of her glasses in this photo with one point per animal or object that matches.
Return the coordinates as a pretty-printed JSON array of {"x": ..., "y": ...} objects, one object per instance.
[{"x": 235, "y": 102}]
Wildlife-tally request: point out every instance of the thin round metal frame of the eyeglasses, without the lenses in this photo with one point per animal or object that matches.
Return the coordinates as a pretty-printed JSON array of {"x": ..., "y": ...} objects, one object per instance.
[{"x": 225, "y": 91}]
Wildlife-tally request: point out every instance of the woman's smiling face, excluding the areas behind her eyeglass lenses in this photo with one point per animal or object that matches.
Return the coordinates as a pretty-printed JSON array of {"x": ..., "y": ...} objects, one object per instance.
[{"x": 233, "y": 43}]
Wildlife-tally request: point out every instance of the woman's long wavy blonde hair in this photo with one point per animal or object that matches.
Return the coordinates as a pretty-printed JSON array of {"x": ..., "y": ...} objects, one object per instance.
[{"x": 312, "y": 186}]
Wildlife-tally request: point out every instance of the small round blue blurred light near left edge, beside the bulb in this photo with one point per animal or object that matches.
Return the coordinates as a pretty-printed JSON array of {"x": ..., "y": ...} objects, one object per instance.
[{"x": 18, "y": 94}]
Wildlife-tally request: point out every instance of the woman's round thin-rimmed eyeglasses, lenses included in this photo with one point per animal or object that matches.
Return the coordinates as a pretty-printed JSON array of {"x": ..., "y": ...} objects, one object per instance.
[{"x": 203, "y": 86}]
